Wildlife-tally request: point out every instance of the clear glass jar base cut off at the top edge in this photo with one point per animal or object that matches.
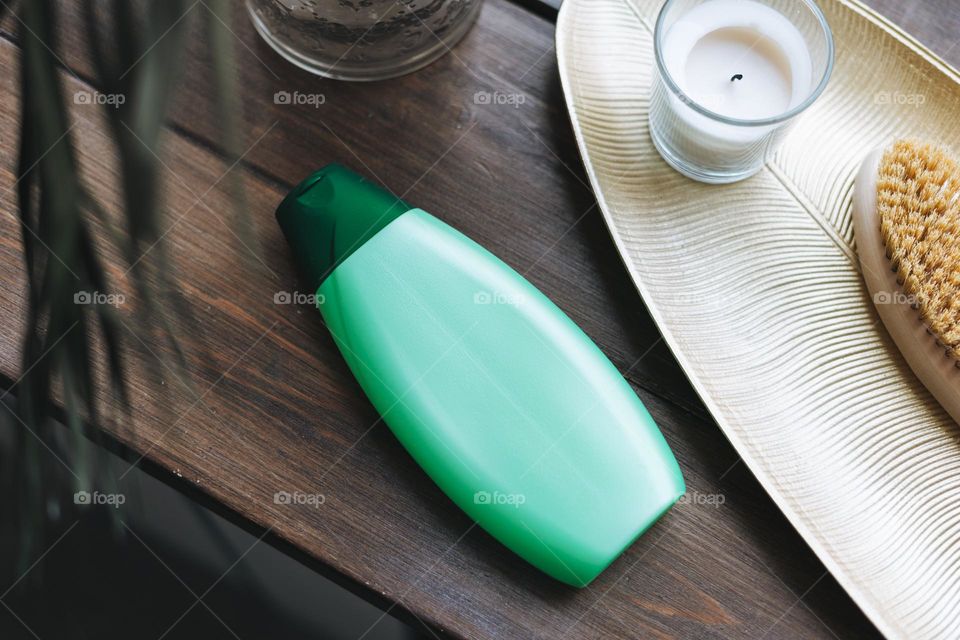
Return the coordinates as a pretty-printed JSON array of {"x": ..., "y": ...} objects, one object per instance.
[{"x": 362, "y": 39}]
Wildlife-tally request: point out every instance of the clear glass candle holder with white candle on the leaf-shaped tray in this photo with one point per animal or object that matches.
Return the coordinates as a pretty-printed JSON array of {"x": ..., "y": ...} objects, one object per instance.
[{"x": 731, "y": 77}]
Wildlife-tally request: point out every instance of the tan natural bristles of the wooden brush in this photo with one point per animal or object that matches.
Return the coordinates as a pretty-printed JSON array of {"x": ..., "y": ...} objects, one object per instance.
[{"x": 918, "y": 203}]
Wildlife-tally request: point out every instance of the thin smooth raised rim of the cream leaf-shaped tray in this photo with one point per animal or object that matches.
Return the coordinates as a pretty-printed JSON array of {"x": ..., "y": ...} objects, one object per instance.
[{"x": 861, "y": 598}]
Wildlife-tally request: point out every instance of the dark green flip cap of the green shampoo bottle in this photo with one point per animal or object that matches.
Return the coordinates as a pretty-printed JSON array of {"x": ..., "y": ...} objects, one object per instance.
[{"x": 330, "y": 215}]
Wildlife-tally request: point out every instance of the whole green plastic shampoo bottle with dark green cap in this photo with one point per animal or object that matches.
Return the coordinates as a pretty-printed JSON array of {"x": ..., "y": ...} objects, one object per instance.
[{"x": 506, "y": 404}]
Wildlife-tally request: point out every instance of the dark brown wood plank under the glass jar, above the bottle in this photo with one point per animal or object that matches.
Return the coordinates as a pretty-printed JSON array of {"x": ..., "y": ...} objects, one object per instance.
[{"x": 510, "y": 178}]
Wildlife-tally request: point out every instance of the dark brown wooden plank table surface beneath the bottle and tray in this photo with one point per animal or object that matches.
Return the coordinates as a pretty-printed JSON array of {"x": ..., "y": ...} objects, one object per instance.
[{"x": 266, "y": 403}]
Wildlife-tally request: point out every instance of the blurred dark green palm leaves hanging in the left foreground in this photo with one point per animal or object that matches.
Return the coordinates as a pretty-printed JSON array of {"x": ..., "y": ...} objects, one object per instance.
[{"x": 136, "y": 49}]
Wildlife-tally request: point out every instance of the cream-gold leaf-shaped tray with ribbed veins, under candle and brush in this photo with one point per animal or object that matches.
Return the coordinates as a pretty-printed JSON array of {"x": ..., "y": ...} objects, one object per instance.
[{"x": 755, "y": 287}]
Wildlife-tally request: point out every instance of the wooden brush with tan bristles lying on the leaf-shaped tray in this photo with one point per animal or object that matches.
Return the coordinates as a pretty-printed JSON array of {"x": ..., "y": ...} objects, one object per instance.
[{"x": 906, "y": 217}]
